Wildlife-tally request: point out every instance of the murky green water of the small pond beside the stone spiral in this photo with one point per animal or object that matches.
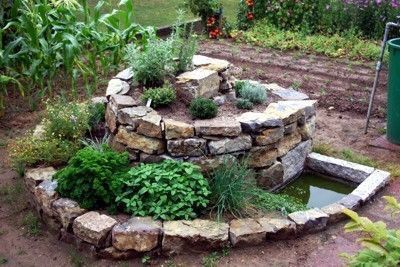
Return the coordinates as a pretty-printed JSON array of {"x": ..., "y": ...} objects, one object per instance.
[{"x": 316, "y": 191}]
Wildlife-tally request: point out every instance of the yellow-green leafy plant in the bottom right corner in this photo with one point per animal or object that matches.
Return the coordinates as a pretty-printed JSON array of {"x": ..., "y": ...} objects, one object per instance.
[{"x": 381, "y": 245}]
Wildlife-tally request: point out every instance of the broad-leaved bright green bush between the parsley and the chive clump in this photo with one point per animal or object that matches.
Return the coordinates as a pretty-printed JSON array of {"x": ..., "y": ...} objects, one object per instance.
[{"x": 168, "y": 190}]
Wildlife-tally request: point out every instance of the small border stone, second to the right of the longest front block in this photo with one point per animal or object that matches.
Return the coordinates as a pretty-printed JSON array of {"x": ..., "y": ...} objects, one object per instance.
[{"x": 278, "y": 228}]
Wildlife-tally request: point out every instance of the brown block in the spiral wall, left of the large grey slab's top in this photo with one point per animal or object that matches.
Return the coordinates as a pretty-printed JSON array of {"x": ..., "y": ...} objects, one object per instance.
[{"x": 262, "y": 156}]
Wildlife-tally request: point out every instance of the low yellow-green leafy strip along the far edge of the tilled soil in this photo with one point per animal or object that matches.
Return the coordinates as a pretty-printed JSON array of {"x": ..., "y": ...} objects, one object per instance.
[{"x": 348, "y": 45}]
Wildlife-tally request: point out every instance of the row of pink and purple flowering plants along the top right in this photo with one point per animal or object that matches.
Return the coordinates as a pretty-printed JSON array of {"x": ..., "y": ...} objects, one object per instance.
[{"x": 366, "y": 17}]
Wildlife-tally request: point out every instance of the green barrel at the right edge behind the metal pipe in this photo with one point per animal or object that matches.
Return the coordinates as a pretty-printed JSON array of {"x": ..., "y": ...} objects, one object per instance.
[{"x": 393, "y": 103}]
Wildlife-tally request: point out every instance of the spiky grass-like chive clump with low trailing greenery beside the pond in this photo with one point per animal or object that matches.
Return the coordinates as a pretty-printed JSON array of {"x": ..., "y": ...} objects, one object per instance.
[{"x": 234, "y": 190}]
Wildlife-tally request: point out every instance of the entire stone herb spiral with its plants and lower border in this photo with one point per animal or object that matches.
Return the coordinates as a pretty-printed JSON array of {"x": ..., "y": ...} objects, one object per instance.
[{"x": 180, "y": 155}]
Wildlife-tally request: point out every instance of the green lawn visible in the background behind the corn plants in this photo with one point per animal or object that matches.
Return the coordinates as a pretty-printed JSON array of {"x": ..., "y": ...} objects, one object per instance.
[{"x": 163, "y": 12}]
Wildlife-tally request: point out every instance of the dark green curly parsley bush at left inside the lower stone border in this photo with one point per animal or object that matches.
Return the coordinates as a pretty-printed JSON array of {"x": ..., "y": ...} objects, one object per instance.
[{"x": 91, "y": 177}]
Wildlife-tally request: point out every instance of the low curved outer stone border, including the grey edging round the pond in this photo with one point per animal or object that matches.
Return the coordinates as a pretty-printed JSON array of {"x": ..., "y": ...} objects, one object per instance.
[{"x": 122, "y": 237}]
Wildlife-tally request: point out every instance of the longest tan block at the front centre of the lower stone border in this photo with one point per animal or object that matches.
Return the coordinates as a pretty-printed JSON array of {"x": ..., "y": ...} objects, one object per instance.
[{"x": 197, "y": 235}]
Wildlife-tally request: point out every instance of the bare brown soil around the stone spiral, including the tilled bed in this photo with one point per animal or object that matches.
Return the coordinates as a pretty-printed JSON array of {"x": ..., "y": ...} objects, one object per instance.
[{"x": 342, "y": 90}]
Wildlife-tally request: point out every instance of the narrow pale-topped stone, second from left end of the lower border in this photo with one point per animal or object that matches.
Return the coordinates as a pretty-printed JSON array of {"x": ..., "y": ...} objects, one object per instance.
[{"x": 45, "y": 194}]
